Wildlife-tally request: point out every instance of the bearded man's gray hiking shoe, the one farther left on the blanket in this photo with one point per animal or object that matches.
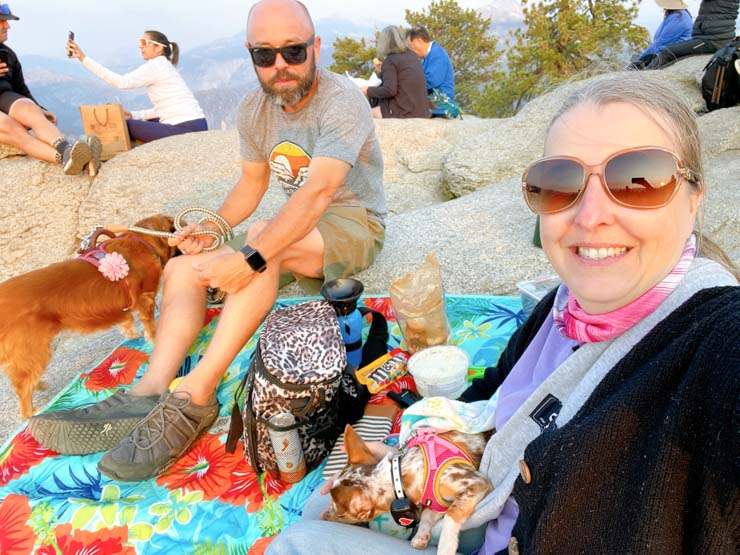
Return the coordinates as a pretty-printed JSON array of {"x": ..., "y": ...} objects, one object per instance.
[{"x": 93, "y": 428}]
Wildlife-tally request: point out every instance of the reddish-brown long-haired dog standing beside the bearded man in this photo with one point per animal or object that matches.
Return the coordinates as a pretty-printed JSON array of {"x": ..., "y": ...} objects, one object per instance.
[{"x": 73, "y": 295}]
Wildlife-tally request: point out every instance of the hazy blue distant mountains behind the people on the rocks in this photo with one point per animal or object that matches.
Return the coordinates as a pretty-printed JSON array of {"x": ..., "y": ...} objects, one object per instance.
[{"x": 219, "y": 73}]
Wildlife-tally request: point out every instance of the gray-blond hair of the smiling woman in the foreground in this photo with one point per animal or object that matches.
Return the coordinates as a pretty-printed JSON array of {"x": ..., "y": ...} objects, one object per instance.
[{"x": 671, "y": 113}]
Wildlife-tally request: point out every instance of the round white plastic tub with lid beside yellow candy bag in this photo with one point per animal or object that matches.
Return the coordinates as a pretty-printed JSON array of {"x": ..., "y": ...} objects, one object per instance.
[{"x": 440, "y": 371}]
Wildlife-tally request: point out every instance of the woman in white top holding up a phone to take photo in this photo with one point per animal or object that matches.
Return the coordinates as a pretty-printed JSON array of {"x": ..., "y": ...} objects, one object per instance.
[{"x": 175, "y": 110}]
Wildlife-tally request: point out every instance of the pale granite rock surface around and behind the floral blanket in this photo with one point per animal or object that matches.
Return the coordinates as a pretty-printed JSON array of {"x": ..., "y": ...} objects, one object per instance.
[{"x": 483, "y": 238}]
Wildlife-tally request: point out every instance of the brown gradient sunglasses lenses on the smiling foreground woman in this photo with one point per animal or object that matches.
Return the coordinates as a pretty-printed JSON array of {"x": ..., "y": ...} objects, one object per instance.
[{"x": 638, "y": 179}]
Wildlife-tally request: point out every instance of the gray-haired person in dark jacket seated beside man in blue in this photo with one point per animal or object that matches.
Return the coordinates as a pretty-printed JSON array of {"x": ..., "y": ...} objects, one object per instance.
[{"x": 403, "y": 93}]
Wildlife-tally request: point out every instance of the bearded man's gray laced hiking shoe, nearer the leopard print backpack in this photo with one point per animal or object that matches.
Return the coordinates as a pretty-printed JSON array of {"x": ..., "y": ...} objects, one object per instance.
[{"x": 160, "y": 439}]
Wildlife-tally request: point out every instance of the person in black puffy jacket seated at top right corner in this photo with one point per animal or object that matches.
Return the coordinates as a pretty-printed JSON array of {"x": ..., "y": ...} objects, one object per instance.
[{"x": 714, "y": 28}]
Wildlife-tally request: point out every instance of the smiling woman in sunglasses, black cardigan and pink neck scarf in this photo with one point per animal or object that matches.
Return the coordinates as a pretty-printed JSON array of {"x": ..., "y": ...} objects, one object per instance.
[{"x": 616, "y": 402}]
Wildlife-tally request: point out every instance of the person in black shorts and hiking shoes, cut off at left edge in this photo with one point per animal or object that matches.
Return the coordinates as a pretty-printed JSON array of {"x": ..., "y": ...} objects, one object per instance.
[{"x": 20, "y": 112}]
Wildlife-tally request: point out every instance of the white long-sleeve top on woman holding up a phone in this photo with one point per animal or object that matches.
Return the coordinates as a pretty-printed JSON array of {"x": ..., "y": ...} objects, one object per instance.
[{"x": 172, "y": 99}]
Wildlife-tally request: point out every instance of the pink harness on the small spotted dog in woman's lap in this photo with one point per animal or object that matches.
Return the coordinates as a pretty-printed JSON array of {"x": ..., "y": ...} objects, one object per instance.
[{"x": 438, "y": 454}]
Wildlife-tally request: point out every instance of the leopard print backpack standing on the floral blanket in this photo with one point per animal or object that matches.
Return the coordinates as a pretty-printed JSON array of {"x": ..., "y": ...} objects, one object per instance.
[{"x": 297, "y": 368}]
